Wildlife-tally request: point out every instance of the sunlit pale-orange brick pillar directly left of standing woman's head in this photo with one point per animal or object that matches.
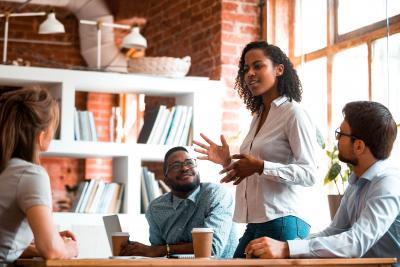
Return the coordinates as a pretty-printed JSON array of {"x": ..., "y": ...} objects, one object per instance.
[{"x": 240, "y": 25}]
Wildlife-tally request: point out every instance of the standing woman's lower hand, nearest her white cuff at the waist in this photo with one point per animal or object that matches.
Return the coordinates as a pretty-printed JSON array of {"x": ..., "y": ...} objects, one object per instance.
[{"x": 241, "y": 169}]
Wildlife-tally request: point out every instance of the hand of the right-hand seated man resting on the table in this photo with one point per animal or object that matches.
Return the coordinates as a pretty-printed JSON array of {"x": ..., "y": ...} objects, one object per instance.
[{"x": 267, "y": 248}]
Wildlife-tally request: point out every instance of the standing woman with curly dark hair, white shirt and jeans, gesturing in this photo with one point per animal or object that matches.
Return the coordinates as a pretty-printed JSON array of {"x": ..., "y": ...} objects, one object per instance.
[{"x": 277, "y": 157}]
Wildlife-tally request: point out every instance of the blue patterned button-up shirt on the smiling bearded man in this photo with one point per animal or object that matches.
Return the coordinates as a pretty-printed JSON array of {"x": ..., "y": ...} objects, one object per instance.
[{"x": 171, "y": 219}]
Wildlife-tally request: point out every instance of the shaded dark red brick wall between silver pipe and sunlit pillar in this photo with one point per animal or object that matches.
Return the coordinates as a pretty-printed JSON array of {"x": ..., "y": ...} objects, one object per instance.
[{"x": 179, "y": 28}]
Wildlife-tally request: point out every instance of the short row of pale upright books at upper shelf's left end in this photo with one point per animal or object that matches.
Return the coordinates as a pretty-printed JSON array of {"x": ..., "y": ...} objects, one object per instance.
[{"x": 84, "y": 126}]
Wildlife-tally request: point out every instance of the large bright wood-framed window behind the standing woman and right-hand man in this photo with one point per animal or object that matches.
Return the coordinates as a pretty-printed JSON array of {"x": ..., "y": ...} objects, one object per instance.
[{"x": 344, "y": 50}]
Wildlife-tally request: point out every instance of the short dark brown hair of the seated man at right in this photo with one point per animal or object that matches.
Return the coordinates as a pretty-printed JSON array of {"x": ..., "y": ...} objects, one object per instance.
[{"x": 373, "y": 123}]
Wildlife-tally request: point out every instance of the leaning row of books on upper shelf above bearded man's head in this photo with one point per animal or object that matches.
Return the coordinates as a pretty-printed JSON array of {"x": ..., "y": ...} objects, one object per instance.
[{"x": 165, "y": 126}]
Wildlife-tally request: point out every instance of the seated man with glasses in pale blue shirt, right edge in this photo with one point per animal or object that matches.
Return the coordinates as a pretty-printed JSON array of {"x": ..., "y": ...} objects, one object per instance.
[{"x": 367, "y": 223}]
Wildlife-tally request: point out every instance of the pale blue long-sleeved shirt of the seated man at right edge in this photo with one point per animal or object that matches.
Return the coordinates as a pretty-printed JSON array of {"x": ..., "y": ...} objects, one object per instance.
[{"x": 367, "y": 223}]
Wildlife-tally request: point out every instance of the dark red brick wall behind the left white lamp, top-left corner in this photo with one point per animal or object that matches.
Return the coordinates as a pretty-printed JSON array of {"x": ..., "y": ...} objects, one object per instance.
[{"x": 61, "y": 50}]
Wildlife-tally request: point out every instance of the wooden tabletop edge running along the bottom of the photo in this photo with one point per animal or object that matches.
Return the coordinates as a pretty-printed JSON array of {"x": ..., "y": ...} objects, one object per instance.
[{"x": 364, "y": 262}]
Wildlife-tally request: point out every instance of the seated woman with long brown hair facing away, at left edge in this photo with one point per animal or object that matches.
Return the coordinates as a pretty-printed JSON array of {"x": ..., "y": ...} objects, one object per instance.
[{"x": 28, "y": 119}]
